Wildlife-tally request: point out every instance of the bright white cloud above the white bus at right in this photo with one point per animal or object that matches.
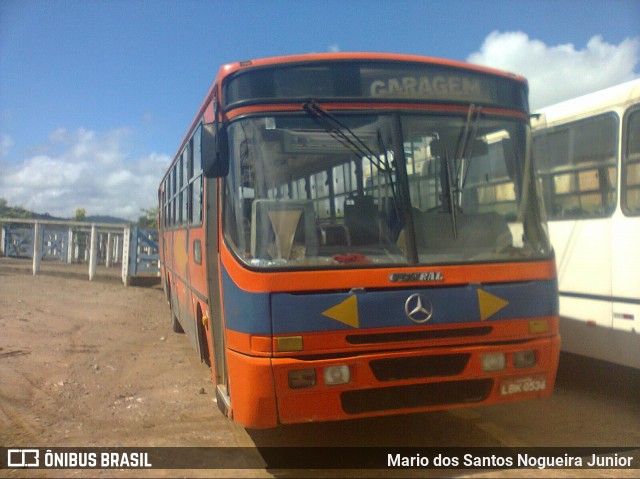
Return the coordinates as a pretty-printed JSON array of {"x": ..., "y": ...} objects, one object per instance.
[{"x": 560, "y": 72}]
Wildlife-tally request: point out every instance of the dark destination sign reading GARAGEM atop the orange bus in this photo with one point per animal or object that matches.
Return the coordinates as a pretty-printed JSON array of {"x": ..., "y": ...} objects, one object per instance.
[{"x": 370, "y": 80}]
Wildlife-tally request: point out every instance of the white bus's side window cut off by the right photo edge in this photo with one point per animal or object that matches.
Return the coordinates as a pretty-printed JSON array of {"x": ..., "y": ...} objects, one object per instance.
[{"x": 631, "y": 164}]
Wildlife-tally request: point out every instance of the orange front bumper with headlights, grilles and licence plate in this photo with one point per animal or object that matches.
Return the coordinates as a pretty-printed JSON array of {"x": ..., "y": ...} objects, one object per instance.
[{"x": 413, "y": 381}]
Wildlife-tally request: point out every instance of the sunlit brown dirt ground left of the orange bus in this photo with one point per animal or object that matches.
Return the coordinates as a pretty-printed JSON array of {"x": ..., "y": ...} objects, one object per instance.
[{"x": 94, "y": 363}]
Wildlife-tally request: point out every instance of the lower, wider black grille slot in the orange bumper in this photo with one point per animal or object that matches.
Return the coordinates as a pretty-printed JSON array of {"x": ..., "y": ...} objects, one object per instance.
[{"x": 416, "y": 395}]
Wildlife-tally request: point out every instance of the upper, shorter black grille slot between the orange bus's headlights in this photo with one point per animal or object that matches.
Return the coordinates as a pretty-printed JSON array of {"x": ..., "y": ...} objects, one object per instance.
[{"x": 419, "y": 367}]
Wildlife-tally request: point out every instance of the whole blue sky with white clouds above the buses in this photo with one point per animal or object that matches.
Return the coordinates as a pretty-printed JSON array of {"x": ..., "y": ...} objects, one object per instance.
[{"x": 95, "y": 96}]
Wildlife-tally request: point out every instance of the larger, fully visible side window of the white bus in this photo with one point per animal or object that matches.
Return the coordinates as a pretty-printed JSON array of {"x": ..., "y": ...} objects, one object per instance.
[{"x": 577, "y": 167}]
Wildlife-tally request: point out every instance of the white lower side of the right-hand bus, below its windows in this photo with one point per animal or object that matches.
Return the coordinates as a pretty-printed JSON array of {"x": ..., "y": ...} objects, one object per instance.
[{"x": 599, "y": 319}]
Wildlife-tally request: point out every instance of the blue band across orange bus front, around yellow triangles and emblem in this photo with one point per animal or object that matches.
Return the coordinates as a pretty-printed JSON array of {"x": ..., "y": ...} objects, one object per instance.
[{"x": 250, "y": 313}]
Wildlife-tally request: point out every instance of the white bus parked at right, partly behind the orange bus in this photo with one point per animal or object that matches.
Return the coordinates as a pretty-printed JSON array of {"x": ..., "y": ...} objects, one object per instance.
[{"x": 587, "y": 153}]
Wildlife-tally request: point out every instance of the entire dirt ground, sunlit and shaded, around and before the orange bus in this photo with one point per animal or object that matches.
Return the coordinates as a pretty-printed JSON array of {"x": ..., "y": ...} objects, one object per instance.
[{"x": 94, "y": 363}]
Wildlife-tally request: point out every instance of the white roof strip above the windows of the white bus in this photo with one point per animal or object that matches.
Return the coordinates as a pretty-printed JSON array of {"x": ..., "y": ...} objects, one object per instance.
[{"x": 607, "y": 99}]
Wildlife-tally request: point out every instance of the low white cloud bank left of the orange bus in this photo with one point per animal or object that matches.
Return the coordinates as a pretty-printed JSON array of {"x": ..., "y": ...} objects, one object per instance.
[{"x": 85, "y": 169}]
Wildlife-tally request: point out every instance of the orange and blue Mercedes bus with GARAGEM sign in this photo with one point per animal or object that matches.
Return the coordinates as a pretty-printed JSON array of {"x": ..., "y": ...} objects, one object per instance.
[{"x": 352, "y": 235}]
